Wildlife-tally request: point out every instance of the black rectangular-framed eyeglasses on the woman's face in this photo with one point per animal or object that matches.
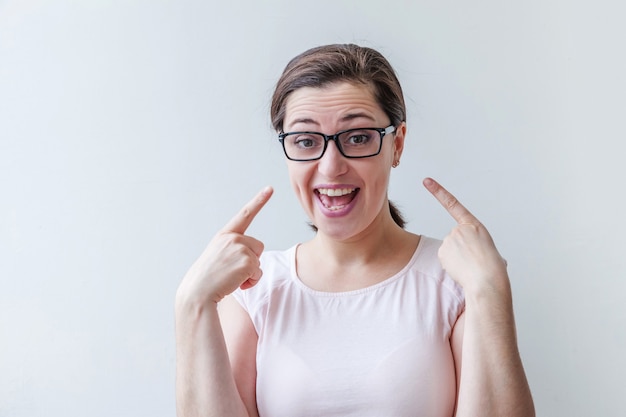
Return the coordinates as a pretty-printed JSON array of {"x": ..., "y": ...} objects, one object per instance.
[{"x": 352, "y": 143}]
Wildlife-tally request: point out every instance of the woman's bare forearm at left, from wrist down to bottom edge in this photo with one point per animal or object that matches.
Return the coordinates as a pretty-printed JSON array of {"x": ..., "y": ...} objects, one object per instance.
[{"x": 204, "y": 380}]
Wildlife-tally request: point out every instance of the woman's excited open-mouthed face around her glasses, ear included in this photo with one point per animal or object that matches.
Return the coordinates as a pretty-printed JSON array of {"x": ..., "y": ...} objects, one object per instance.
[{"x": 343, "y": 197}]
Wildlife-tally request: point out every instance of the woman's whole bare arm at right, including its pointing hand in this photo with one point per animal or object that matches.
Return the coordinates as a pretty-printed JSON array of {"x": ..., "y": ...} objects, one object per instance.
[{"x": 492, "y": 381}]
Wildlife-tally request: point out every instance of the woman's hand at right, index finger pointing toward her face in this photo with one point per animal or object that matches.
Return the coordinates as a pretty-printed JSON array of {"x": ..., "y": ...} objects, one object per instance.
[{"x": 468, "y": 253}]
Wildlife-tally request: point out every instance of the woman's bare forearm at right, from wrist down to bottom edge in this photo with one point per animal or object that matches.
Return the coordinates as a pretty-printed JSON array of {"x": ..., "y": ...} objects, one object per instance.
[{"x": 493, "y": 382}]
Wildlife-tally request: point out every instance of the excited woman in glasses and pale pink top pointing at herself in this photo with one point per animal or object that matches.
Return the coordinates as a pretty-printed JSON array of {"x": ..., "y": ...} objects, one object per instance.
[{"x": 365, "y": 319}]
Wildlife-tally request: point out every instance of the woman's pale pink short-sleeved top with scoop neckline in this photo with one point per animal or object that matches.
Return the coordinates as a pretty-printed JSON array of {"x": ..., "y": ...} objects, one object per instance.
[{"x": 383, "y": 350}]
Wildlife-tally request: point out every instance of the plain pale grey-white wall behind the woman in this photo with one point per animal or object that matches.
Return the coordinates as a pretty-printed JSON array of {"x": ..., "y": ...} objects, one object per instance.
[{"x": 131, "y": 131}]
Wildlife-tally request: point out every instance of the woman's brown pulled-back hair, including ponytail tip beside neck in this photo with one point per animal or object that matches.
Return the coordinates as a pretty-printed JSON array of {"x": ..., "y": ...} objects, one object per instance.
[{"x": 324, "y": 65}]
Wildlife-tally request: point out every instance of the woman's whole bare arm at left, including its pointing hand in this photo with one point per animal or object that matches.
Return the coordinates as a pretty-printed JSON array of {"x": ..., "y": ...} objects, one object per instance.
[{"x": 206, "y": 384}]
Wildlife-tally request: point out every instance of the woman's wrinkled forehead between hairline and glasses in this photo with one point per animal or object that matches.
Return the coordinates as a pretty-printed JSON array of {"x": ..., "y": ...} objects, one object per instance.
[{"x": 331, "y": 104}]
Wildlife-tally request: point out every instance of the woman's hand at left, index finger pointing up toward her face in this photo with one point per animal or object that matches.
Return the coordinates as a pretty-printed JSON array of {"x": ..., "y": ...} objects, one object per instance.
[{"x": 230, "y": 260}]
